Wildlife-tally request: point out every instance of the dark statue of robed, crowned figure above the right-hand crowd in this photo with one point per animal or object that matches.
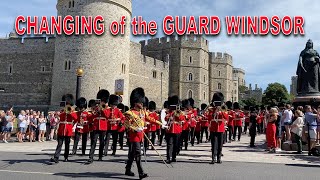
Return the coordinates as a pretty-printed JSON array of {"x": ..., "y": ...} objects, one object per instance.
[{"x": 308, "y": 72}]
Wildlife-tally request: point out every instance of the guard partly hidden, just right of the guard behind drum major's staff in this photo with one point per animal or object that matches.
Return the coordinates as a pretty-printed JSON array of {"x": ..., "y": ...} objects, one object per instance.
[{"x": 185, "y": 124}]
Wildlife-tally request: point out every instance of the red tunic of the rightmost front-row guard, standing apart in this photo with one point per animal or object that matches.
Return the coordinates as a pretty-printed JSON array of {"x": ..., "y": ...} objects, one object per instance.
[{"x": 217, "y": 121}]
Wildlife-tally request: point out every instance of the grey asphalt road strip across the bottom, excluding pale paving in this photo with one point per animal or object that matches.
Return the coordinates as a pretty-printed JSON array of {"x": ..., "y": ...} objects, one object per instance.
[{"x": 36, "y": 166}]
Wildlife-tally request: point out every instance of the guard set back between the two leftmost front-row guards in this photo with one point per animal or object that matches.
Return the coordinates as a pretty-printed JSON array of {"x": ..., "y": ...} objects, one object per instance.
[{"x": 82, "y": 127}]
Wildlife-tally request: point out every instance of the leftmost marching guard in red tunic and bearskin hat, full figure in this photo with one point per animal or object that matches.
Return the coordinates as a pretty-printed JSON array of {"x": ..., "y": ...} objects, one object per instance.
[{"x": 67, "y": 119}]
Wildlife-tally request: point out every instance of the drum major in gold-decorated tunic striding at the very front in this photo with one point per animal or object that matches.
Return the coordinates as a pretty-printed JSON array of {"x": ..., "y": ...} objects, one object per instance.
[{"x": 134, "y": 123}]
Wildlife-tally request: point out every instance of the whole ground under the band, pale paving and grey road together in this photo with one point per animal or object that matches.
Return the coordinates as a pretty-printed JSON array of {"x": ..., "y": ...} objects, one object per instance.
[{"x": 31, "y": 161}]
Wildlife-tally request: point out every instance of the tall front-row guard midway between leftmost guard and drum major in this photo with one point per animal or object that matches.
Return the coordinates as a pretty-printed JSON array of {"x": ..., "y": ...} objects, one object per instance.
[{"x": 100, "y": 123}]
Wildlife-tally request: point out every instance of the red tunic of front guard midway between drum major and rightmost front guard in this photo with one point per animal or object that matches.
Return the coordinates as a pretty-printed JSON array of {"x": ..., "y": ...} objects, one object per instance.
[{"x": 174, "y": 122}]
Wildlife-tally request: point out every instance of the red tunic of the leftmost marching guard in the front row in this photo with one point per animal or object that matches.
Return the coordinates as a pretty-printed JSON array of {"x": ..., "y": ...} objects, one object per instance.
[{"x": 66, "y": 124}]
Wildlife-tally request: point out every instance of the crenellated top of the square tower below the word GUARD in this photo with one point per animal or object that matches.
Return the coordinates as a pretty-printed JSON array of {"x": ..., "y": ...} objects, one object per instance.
[{"x": 175, "y": 41}]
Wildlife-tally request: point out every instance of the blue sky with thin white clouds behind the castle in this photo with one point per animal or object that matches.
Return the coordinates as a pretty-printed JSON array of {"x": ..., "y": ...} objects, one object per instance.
[{"x": 265, "y": 59}]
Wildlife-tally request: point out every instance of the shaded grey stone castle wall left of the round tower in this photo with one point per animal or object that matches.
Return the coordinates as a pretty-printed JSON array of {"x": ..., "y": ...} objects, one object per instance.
[{"x": 29, "y": 83}]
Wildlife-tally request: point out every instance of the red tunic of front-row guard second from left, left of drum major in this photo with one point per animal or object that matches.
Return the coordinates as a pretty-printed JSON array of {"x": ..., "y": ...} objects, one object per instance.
[{"x": 100, "y": 121}]
